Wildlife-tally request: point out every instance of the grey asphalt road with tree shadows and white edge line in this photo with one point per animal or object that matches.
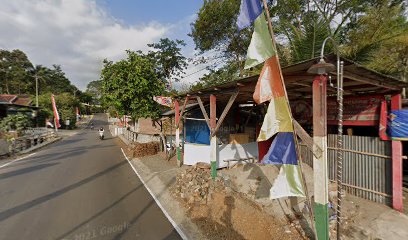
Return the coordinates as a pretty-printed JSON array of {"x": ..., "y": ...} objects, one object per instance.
[{"x": 79, "y": 188}]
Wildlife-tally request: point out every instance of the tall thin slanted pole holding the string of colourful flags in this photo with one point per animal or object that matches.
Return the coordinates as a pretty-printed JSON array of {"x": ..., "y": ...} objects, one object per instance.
[{"x": 268, "y": 17}]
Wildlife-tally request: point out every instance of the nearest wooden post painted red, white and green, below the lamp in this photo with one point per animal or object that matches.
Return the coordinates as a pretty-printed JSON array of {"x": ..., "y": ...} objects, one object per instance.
[{"x": 320, "y": 163}]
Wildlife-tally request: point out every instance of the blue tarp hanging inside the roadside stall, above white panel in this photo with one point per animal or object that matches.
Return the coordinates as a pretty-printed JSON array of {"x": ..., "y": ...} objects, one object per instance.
[{"x": 197, "y": 132}]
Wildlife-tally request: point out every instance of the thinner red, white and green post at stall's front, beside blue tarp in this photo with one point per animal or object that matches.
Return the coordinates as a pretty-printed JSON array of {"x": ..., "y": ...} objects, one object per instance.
[{"x": 213, "y": 142}]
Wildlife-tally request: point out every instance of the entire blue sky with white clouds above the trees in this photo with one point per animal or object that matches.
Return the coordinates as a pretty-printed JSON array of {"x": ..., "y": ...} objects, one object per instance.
[{"x": 79, "y": 34}]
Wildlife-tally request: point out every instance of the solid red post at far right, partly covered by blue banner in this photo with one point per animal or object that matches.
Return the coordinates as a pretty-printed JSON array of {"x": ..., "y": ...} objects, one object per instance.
[{"x": 396, "y": 162}]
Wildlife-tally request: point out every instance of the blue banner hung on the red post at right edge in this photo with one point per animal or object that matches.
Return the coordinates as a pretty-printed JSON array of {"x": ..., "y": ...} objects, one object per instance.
[{"x": 398, "y": 124}]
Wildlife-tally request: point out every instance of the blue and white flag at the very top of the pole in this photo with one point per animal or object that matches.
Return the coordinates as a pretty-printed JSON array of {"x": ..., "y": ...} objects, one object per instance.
[{"x": 248, "y": 12}]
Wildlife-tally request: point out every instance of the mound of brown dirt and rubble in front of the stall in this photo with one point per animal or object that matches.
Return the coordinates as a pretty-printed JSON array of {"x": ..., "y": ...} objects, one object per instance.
[{"x": 222, "y": 213}]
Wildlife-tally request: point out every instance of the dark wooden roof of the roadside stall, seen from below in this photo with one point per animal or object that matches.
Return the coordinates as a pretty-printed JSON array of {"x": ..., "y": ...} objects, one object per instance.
[{"x": 357, "y": 80}]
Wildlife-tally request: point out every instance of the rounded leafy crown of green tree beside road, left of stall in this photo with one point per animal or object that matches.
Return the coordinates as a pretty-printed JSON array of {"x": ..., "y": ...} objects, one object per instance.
[{"x": 130, "y": 84}]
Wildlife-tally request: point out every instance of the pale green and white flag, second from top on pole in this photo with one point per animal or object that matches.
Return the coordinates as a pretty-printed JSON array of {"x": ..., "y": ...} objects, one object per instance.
[{"x": 260, "y": 48}]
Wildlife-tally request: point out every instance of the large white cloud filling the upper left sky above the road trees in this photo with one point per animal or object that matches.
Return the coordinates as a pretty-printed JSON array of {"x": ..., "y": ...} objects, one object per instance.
[{"x": 77, "y": 34}]
